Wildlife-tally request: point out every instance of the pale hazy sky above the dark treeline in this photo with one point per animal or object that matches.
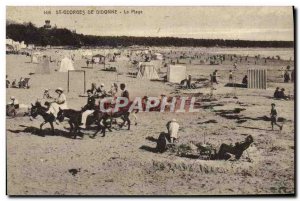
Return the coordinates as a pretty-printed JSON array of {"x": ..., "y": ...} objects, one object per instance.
[{"x": 244, "y": 23}]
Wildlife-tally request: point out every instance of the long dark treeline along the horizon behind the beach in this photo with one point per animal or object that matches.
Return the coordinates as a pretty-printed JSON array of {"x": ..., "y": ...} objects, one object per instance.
[{"x": 64, "y": 37}]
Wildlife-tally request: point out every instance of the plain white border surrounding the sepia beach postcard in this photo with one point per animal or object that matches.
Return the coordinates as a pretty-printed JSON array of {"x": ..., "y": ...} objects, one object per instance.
[{"x": 5, "y": 3}]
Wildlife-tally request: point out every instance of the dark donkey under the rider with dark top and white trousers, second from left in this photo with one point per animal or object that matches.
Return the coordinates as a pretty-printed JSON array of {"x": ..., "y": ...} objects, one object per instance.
[{"x": 75, "y": 120}]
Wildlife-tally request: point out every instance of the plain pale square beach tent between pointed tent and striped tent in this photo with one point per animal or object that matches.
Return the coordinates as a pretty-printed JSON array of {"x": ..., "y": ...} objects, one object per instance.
[{"x": 176, "y": 73}]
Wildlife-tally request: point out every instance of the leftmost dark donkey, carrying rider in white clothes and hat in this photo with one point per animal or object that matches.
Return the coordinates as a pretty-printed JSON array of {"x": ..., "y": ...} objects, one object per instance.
[{"x": 38, "y": 109}]
